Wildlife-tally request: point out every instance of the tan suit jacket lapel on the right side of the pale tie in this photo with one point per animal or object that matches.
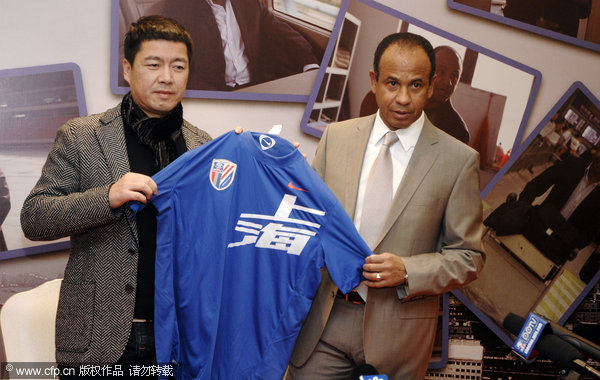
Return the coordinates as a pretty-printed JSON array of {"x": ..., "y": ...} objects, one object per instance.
[{"x": 423, "y": 158}]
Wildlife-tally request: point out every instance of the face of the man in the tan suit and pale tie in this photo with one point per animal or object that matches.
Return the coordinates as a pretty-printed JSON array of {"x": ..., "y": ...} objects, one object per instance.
[{"x": 403, "y": 86}]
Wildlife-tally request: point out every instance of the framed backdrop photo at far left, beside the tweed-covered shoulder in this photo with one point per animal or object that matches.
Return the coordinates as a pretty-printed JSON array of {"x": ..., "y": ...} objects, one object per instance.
[{"x": 34, "y": 103}]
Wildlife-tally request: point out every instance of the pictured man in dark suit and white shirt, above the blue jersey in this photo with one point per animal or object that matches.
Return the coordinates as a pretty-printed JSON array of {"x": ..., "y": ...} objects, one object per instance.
[{"x": 238, "y": 43}]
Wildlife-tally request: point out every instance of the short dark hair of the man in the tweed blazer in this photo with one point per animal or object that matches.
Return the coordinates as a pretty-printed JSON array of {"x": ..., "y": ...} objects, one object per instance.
[{"x": 155, "y": 27}]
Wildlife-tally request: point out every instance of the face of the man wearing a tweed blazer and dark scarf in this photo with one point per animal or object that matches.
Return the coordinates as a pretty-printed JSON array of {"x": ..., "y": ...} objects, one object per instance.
[{"x": 158, "y": 76}]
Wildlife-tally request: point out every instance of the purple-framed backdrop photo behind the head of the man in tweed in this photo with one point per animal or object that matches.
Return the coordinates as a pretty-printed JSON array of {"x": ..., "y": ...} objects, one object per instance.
[{"x": 272, "y": 52}]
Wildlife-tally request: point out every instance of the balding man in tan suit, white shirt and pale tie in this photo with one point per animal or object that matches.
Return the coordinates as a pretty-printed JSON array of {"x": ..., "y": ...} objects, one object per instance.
[{"x": 429, "y": 242}]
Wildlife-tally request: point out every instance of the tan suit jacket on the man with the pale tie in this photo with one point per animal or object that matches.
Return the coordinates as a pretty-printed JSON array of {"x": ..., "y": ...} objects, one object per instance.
[{"x": 434, "y": 224}]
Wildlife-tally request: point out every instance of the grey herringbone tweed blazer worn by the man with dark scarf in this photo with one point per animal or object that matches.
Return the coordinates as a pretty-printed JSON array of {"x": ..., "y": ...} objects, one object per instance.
[{"x": 97, "y": 294}]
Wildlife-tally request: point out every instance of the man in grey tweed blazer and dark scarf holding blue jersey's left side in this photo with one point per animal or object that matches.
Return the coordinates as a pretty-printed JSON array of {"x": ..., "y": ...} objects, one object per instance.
[{"x": 97, "y": 165}]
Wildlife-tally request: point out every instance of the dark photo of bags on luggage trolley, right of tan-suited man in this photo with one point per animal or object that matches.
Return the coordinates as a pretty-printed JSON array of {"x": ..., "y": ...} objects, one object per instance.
[{"x": 541, "y": 218}]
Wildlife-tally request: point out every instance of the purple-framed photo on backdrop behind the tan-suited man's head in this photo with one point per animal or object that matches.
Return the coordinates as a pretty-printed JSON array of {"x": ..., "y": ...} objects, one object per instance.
[{"x": 487, "y": 106}]
